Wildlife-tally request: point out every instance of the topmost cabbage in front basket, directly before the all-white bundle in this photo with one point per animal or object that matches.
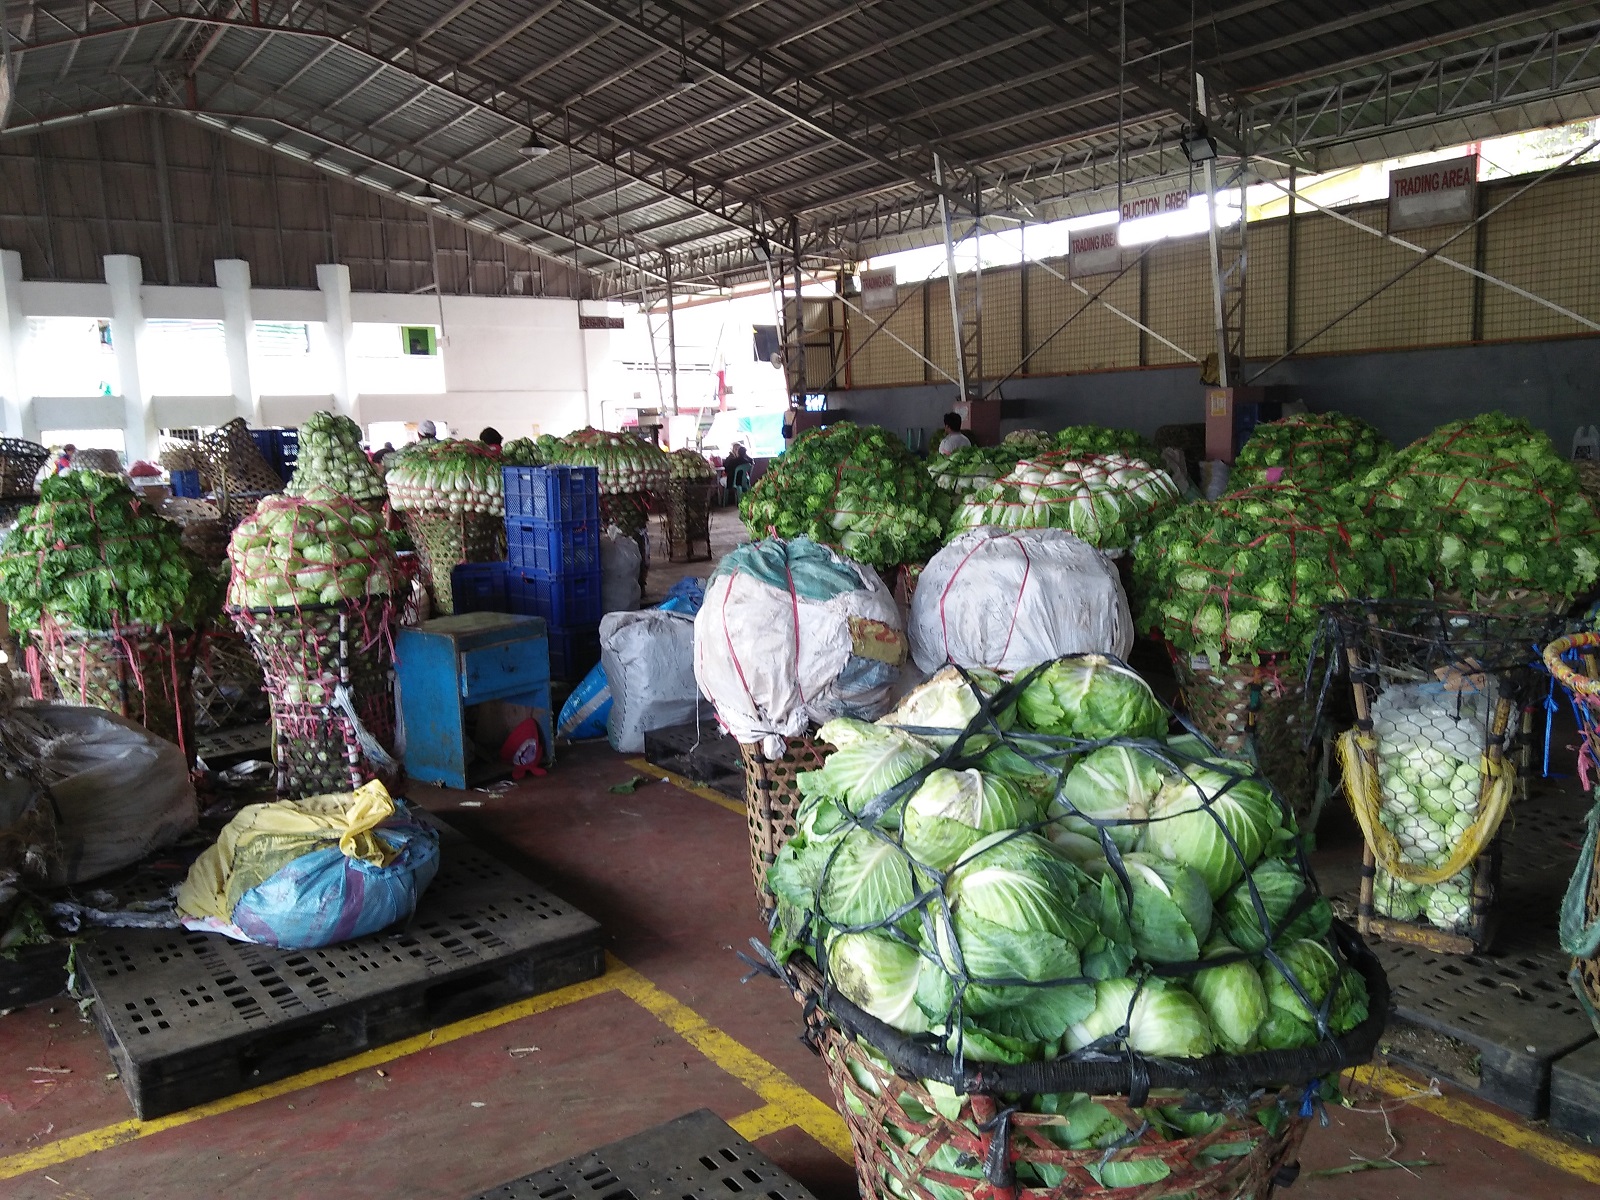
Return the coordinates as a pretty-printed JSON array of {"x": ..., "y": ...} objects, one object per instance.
[{"x": 1090, "y": 697}]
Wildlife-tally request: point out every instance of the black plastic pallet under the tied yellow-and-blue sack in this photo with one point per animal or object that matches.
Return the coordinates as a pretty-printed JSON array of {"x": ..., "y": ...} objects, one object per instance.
[{"x": 196, "y": 1017}]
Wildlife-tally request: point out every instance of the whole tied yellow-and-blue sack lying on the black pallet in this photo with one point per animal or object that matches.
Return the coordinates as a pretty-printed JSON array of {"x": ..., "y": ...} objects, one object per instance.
[{"x": 302, "y": 874}]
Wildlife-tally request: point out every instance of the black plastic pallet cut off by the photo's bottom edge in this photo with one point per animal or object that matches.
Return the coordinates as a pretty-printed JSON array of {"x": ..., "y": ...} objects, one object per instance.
[{"x": 695, "y": 1158}]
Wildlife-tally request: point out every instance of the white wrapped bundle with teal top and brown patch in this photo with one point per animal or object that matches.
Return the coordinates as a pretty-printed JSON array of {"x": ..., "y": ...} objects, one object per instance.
[{"x": 793, "y": 636}]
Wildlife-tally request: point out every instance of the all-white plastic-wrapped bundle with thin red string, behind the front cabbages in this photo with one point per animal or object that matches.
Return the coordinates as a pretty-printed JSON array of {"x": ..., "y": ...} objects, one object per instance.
[{"x": 1010, "y": 599}]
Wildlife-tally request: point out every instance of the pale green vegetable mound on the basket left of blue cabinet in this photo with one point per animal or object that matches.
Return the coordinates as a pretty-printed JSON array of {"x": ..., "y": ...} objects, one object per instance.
[{"x": 305, "y": 551}]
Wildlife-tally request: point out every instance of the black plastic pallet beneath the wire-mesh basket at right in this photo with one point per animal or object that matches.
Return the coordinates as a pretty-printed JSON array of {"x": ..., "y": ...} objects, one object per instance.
[{"x": 1495, "y": 1023}]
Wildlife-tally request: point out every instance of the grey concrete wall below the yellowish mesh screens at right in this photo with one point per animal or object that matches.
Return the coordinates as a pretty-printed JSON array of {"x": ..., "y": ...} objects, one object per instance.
[{"x": 1554, "y": 385}]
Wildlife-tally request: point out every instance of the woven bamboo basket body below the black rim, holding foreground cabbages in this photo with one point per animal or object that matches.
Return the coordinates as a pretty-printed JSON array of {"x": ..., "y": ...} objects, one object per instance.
[{"x": 903, "y": 1140}]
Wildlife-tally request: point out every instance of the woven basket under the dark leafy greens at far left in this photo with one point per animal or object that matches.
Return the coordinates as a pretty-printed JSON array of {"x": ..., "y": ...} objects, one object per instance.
[{"x": 143, "y": 674}]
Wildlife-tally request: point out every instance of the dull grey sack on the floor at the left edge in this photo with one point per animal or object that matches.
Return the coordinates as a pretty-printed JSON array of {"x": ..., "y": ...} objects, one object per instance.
[{"x": 119, "y": 791}]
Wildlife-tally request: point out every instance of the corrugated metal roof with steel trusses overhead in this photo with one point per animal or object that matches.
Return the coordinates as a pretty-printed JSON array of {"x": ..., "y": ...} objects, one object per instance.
[{"x": 804, "y": 111}]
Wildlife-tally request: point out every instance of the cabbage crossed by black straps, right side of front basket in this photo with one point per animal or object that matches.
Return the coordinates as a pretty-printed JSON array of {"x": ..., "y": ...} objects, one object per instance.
[{"x": 1190, "y": 815}]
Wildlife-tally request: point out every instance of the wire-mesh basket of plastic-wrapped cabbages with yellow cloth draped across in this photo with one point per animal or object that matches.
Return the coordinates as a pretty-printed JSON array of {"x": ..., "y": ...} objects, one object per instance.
[{"x": 1430, "y": 767}]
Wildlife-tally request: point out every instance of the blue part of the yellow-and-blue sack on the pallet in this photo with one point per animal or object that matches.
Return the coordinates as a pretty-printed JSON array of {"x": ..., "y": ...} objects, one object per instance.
[{"x": 326, "y": 897}]
